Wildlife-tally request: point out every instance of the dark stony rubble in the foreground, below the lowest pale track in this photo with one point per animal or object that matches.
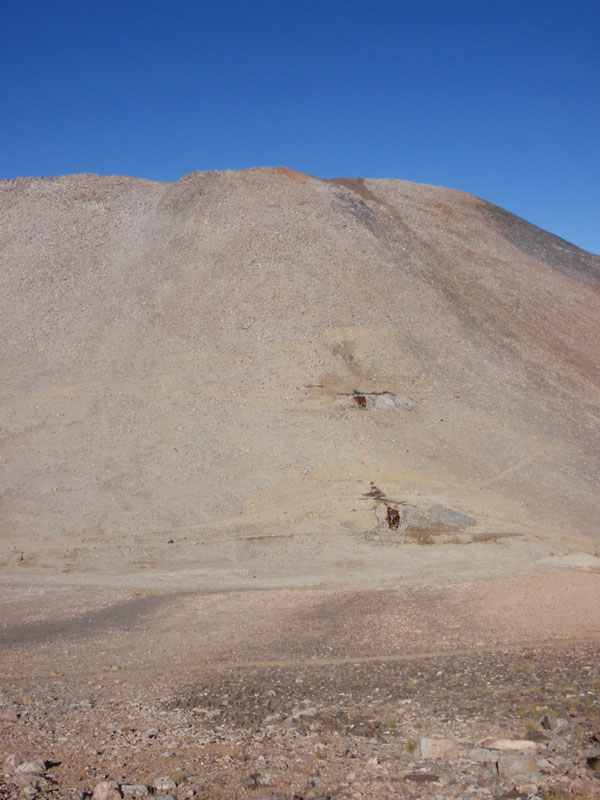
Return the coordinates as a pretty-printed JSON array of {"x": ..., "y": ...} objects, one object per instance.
[{"x": 504, "y": 724}]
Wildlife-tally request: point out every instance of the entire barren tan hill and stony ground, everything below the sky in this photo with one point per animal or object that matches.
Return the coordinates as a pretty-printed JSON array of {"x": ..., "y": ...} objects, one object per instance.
[{"x": 299, "y": 493}]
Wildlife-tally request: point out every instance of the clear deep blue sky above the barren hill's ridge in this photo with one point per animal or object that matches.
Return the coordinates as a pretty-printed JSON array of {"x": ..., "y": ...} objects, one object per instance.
[{"x": 500, "y": 98}]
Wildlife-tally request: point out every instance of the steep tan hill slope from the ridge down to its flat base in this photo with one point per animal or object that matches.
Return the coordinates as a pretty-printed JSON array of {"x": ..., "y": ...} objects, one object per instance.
[{"x": 179, "y": 362}]
